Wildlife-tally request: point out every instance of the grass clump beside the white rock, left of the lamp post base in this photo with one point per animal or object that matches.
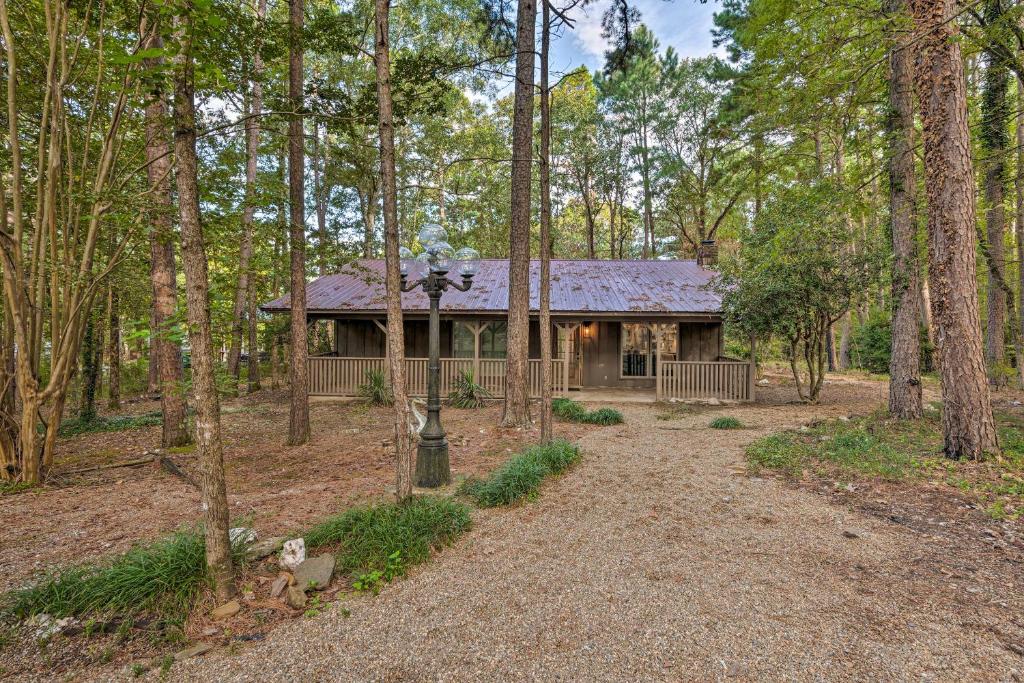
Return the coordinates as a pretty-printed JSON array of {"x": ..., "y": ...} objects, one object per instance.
[{"x": 369, "y": 536}]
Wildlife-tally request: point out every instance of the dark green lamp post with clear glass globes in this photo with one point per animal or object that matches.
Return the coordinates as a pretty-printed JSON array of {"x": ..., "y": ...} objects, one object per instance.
[{"x": 430, "y": 271}]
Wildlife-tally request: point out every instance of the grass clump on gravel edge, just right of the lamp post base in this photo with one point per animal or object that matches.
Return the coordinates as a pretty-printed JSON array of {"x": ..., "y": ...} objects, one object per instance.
[{"x": 522, "y": 477}]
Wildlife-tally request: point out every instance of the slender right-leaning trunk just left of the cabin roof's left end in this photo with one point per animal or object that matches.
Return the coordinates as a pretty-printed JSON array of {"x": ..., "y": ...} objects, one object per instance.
[{"x": 255, "y": 111}]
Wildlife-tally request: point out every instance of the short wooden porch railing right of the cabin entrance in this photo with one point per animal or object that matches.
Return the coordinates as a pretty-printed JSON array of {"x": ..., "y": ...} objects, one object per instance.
[{"x": 729, "y": 380}]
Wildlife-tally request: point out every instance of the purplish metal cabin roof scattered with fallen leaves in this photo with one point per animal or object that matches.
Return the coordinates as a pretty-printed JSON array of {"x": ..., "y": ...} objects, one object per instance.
[{"x": 577, "y": 287}]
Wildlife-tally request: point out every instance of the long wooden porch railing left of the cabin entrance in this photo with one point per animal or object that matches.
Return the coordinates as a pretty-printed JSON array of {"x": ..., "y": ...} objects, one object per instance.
[{"x": 333, "y": 376}]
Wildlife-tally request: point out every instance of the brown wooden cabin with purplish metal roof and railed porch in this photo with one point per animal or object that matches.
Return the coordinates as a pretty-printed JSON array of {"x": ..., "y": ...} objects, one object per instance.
[{"x": 650, "y": 327}]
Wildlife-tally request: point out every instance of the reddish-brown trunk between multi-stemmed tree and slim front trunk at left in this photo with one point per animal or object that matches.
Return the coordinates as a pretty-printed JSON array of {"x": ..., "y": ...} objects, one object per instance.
[{"x": 165, "y": 353}]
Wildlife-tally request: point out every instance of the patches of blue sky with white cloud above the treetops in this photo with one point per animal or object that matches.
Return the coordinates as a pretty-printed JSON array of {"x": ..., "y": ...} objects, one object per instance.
[{"x": 686, "y": 25}]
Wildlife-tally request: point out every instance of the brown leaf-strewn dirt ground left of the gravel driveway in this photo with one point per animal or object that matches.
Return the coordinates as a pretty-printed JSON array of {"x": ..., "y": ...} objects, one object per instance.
[{"x": 275, "y": 489}]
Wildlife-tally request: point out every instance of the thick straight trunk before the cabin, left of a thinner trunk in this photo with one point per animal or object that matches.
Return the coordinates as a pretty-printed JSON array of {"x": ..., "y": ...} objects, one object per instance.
[{"x": 517, "y": 368}]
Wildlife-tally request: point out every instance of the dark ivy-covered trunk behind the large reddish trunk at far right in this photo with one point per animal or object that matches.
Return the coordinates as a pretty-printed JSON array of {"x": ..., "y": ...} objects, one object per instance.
[{"x": 995, "y": 142}]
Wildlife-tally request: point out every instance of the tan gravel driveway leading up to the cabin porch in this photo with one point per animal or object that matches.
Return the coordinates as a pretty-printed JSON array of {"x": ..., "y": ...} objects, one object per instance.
[{"x": 658, "y": 559}]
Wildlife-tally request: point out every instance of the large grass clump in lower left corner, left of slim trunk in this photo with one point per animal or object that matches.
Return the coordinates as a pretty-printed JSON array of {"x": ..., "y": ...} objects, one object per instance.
[{"x": 162, "y": 577}]
